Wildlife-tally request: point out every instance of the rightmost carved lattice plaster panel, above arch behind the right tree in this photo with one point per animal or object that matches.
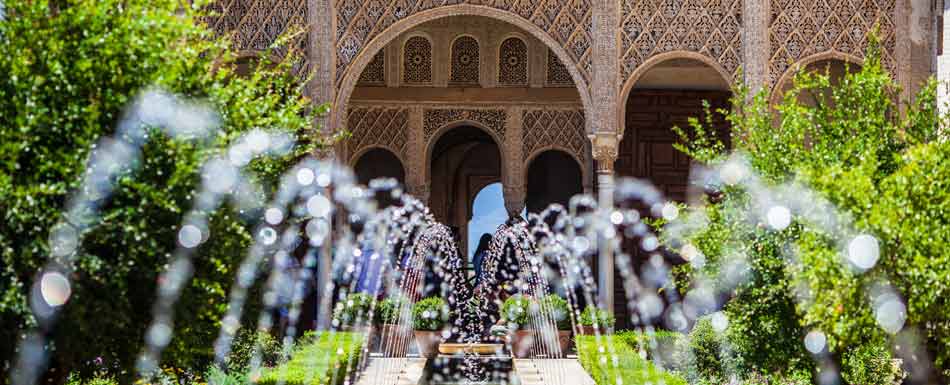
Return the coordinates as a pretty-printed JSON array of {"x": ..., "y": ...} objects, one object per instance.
[{"x": 801, "y": 28}]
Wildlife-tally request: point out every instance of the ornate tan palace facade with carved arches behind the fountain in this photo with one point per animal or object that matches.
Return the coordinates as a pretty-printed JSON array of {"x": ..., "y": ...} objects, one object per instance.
[{"x": 555, "y": 97}]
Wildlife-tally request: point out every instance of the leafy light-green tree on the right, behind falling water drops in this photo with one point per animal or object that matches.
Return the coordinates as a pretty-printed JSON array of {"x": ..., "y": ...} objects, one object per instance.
[{"x": 883, "y": 172}]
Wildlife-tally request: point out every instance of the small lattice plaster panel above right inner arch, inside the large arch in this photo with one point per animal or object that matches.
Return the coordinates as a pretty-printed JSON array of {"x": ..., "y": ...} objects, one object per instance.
[{"x": 548, "y": 128}]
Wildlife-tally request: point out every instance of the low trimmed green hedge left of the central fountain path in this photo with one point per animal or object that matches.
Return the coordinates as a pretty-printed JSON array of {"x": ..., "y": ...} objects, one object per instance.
[{"x": 318, "y": 359}]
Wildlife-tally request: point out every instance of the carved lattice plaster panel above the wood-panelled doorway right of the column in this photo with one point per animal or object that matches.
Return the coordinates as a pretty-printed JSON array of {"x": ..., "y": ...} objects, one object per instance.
[{"x": 709, "y": 27}]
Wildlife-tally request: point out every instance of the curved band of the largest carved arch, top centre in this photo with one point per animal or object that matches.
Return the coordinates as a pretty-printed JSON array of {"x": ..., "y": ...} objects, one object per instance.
[{"x": 369, "y": 50}]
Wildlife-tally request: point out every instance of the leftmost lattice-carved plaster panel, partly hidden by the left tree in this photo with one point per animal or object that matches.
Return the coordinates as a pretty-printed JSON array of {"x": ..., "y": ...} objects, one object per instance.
[{"x": 256, "y": 24}]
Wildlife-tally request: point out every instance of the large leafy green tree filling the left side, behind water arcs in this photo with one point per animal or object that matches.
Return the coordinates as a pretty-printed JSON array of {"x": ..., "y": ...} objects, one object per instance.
[{"x": 70, "y": 69}]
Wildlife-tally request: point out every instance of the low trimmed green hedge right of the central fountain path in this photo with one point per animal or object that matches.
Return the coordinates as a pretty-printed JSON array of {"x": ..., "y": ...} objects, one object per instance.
[{"x": 629, "y": 367}]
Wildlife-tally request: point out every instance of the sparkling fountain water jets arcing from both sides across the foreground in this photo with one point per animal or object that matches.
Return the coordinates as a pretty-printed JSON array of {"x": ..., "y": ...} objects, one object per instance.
[{"x": 399, "y": 252}]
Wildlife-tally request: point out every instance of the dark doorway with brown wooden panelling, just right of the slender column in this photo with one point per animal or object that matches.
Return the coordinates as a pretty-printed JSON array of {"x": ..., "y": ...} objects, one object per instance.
[{"x": 667, "y": 96}]
